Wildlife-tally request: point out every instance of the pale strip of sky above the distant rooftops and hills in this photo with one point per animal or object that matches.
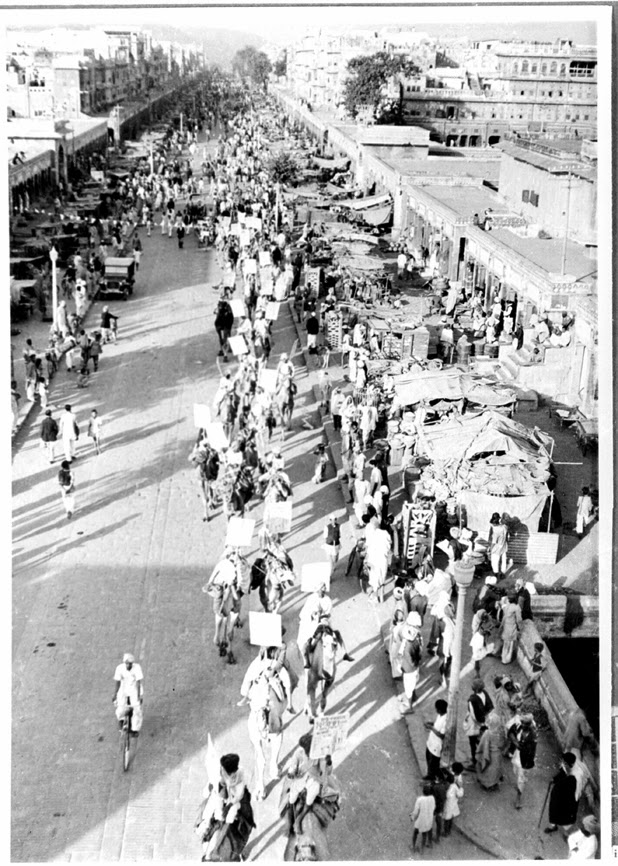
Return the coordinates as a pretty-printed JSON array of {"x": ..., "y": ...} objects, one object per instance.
[{"x": 285, "y": 22}]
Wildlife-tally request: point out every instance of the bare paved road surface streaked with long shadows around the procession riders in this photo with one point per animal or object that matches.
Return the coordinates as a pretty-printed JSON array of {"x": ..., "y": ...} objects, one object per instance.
[{"x": 126, "y": 574}]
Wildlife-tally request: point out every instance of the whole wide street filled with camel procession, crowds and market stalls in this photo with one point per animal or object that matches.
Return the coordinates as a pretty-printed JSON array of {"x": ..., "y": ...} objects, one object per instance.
[{"x": 243, "y": 475}]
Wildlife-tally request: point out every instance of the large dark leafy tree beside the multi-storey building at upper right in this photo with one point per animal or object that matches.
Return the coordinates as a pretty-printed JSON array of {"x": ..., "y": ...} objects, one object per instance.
[{"x": 366, "y": 83}]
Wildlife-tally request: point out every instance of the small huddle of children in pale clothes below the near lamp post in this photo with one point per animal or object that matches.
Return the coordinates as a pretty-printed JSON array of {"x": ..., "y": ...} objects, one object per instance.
[{"x": 439, "y": 804}]
